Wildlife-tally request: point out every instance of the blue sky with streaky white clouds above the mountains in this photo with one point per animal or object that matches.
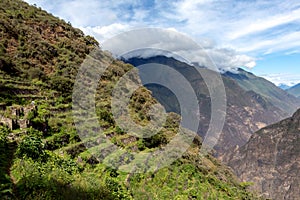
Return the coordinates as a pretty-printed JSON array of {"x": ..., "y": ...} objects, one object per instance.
[{"x": 261, "y": 36}]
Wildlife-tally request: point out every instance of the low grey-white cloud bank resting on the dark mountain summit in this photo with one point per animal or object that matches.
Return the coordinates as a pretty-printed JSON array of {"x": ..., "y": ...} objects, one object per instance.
[{"x": 169, "y": 42}]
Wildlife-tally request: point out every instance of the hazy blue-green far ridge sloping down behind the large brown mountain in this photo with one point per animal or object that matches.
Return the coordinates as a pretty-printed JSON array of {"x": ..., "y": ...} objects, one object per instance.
[{"x": 278, "y": 97}]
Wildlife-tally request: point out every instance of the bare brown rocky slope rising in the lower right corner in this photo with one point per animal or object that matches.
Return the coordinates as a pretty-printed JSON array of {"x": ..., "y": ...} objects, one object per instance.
[{"x": 271, "y": 159}]
